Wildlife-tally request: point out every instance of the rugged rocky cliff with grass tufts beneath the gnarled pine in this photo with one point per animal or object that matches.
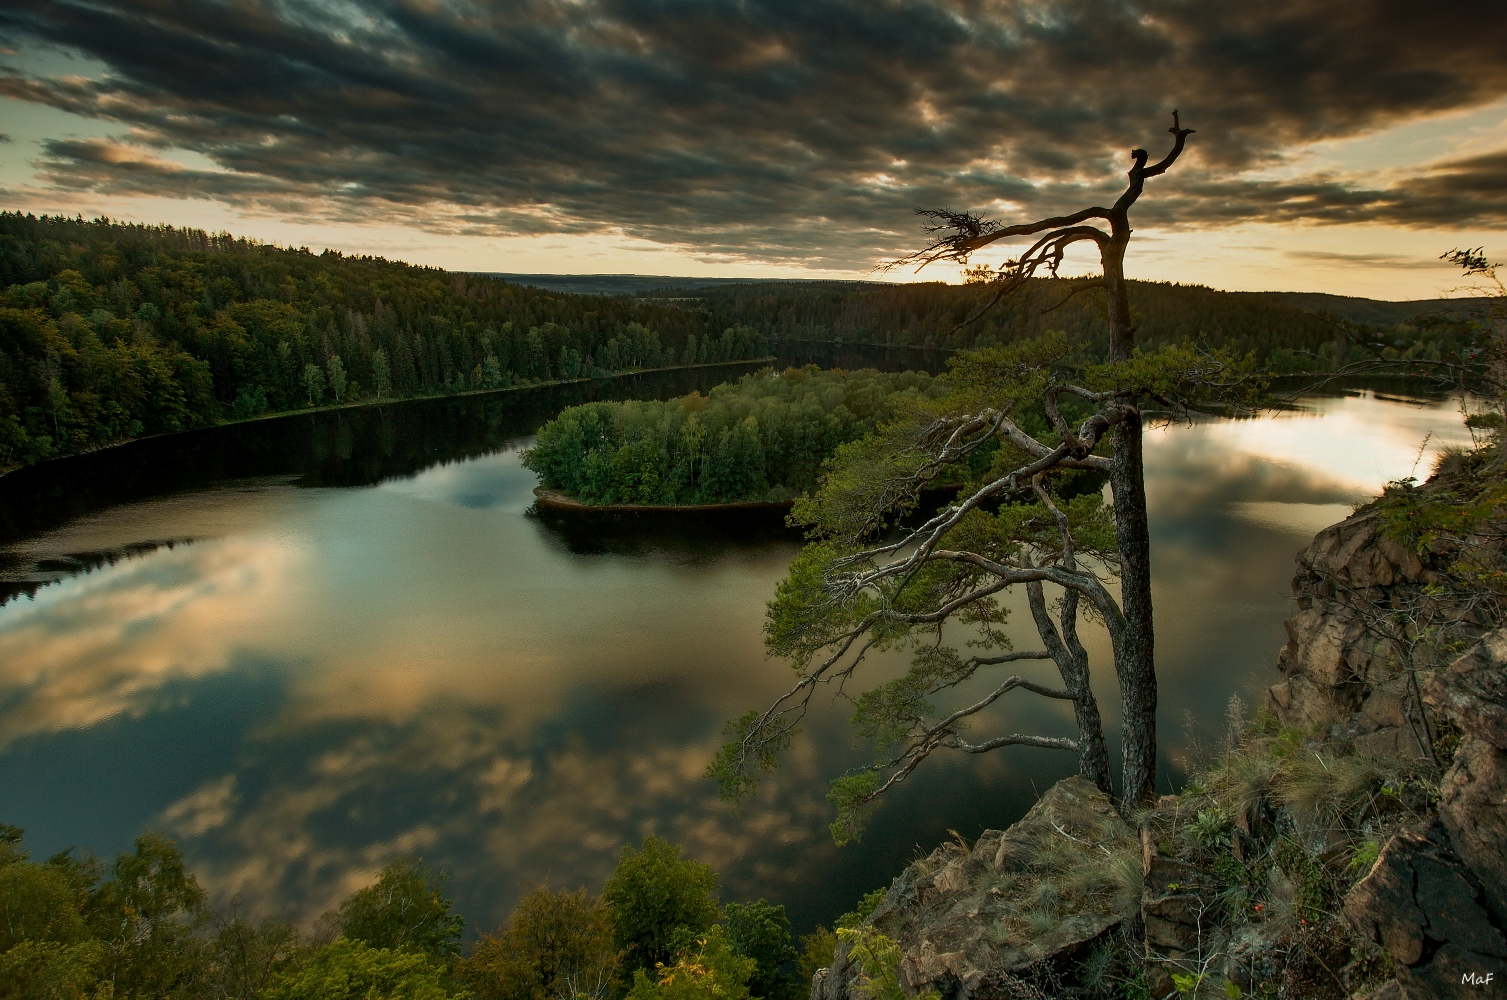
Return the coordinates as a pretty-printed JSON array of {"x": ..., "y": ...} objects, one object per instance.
[{"x": 1353, "y": 844}]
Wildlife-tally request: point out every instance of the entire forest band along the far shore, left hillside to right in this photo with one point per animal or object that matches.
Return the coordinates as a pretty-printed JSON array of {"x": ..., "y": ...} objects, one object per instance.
[{"x": 112, "y": 332}]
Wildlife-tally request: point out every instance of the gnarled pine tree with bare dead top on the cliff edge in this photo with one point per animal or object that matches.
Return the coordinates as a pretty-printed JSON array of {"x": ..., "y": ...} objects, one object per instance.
[{"x": 1030, "y": 431}]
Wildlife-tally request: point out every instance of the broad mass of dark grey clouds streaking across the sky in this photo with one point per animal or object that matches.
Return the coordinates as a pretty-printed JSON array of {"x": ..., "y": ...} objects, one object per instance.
[{"x": 769, "y": 130}]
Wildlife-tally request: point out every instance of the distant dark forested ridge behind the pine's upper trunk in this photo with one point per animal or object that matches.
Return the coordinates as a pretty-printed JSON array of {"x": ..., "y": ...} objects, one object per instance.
[{"x": 1288, "y": 332}]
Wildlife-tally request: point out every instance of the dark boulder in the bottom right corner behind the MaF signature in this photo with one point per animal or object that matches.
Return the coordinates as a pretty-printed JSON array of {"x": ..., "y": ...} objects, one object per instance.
[{"x": 1419, "y": 904}]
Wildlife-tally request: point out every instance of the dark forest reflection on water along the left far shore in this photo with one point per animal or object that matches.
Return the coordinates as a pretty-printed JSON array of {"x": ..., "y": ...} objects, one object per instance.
[{"x": 341, "y": 448}]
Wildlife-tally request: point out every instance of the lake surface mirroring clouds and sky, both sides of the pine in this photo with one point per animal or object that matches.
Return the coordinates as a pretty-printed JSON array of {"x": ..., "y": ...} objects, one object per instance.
[{"x": 334, "y": 677}]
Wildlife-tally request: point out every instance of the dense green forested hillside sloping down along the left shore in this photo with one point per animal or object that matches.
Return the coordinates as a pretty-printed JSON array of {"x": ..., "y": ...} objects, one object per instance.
[{"x": 111, "y": 332}]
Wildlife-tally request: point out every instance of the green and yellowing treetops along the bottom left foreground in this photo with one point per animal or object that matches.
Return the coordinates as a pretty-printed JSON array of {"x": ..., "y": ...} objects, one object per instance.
[{"x": 79, "y": 928}]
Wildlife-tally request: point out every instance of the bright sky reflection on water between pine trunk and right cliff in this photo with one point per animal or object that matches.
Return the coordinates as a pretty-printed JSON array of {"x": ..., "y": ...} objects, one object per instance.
[{"x": 1232, "y": 502}]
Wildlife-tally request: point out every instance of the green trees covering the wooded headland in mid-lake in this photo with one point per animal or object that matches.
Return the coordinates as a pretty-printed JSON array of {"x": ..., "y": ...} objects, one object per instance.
[{"x": 762, "y": 439}]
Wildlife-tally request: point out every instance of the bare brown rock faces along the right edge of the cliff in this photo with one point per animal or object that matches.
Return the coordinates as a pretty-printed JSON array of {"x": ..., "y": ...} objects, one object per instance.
[{"x": 1437, "y": 897}]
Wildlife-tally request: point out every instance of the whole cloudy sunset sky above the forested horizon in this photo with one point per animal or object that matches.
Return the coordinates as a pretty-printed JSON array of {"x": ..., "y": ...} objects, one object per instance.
[{"x": 1340, "y": 145}]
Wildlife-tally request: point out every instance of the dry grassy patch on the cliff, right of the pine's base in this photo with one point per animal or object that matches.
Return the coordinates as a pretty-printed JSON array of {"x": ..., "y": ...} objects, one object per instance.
[{"x": 1279, "y": 828}]
